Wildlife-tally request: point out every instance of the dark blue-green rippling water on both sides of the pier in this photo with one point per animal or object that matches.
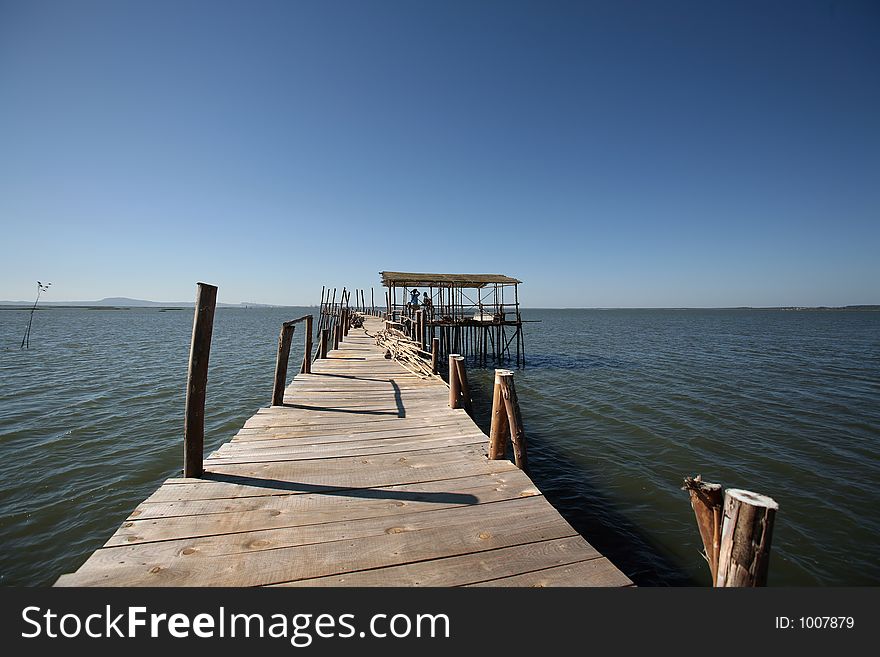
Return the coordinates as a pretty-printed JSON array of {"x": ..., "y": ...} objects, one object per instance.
[{"x": 618, "y": 406}]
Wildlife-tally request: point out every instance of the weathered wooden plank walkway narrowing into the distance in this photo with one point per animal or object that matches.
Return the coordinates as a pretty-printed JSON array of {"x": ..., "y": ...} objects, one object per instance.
[{"x": 364, "y": 477}]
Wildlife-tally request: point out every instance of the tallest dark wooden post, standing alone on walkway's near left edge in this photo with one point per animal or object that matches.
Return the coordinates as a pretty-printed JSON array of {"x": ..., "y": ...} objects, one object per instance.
[{"x": 197, "y": 381}]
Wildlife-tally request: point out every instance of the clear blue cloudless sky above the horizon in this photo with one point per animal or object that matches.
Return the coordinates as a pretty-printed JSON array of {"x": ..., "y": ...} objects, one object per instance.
[{"x": 610, "y": 154}]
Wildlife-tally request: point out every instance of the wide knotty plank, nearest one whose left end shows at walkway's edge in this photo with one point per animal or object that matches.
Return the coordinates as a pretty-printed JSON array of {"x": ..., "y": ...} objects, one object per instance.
[{"x": 261, "y": 558}]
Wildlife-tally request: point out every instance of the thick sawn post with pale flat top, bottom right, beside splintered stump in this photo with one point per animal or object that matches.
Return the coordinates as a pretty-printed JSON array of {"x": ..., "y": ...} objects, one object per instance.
[{"x": 746, "y": 530}]
